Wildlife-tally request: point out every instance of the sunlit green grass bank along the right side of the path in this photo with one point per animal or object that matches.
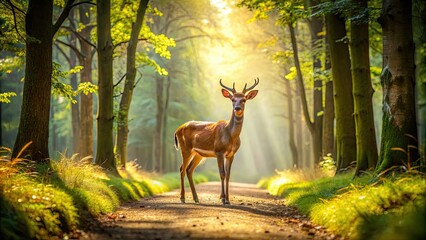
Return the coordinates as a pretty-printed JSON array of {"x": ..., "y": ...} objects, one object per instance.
[{"x": 393, "y": 208}]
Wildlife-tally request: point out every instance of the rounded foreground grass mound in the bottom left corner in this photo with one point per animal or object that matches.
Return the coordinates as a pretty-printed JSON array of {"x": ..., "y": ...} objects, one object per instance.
[{"x": 31, "y": 209}]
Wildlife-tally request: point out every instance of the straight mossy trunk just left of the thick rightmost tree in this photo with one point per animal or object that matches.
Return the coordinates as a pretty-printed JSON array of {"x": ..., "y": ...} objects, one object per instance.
[{"x": 366, "y": 146}]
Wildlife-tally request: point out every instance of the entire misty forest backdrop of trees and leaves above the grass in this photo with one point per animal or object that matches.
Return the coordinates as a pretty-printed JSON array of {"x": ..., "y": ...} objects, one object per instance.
[{"x": 325, "y": 70}]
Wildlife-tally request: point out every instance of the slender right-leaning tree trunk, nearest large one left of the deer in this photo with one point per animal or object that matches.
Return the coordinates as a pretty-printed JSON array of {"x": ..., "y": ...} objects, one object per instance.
[{"x": 126, "y": 99}]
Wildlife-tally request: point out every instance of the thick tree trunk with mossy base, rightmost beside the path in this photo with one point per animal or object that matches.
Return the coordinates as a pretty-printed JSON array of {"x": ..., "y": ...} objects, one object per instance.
[{"x": 399, "y": 130}]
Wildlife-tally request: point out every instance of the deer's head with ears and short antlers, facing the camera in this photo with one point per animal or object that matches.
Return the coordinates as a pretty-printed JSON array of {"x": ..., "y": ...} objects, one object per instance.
[{"x": 239, "y": 98}]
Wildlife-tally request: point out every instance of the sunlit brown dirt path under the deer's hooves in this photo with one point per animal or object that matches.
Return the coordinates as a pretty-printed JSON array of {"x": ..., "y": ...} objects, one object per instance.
[{"x": 253, "y": 214}]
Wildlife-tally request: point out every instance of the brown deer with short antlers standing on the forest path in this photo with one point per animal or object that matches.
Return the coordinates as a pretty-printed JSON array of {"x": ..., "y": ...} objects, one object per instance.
[{"x": 221, "y": 140}]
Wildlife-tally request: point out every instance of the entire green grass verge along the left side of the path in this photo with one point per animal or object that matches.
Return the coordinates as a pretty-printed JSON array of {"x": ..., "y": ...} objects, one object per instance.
[{"x": 54, "y": 199}]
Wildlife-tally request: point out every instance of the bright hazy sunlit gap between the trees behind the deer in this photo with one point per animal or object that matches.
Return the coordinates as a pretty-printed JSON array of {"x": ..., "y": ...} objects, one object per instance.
[{"x": 238, "y": 58}]
